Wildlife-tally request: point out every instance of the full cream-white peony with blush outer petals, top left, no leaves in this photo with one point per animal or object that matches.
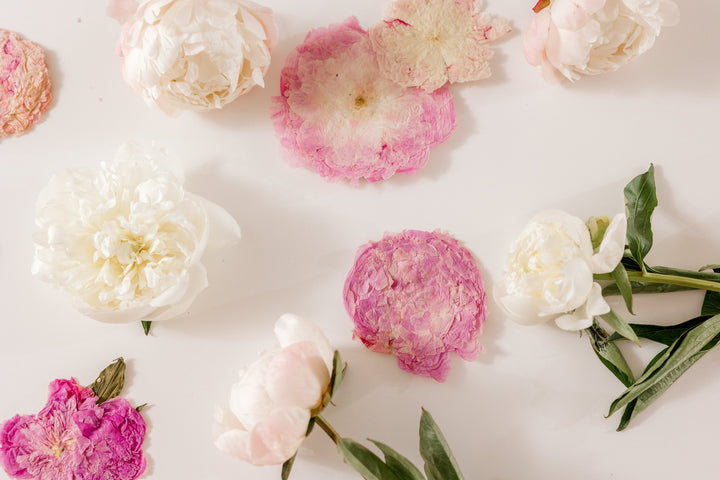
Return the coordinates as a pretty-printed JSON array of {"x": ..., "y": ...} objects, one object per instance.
[{"x": 195, "y": 55}]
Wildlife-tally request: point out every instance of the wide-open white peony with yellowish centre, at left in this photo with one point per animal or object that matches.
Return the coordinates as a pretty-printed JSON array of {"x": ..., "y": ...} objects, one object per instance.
[{"x": 127, "y": 241}]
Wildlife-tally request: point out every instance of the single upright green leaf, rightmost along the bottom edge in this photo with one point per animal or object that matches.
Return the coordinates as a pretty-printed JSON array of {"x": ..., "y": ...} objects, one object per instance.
[{"x": 440, "y": 464}]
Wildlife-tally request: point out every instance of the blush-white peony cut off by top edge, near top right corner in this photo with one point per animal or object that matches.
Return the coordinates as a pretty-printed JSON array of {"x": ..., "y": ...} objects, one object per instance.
[{"x": 573, "y": 38}]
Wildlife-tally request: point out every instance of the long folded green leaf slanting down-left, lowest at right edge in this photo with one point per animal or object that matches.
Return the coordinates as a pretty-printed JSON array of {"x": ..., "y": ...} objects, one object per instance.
[{"x": 680, "y": 356}]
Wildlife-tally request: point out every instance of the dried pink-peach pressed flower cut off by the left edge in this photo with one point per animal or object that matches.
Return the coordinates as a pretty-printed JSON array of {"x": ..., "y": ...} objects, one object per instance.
[{"x": 25, "y": 88}]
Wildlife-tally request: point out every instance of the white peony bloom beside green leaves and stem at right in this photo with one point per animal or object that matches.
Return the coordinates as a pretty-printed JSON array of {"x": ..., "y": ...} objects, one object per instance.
[{"x": 549, "y": 272}]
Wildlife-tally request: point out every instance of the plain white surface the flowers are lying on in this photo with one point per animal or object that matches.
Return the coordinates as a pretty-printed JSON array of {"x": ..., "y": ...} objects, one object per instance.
[{"x": 532, "y": 406}]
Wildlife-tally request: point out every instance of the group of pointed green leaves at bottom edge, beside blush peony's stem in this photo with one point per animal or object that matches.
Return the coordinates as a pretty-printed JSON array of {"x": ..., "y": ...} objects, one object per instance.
[{"x": 440, "y": 464}]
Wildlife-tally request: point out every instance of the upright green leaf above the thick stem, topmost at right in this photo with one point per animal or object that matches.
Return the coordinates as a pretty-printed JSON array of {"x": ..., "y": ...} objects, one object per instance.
[{"x": 640, "y": 201}]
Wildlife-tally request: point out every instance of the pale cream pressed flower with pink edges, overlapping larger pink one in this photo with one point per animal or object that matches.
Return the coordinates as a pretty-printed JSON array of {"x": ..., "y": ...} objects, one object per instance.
[{"x": 427, "y": 44}]
